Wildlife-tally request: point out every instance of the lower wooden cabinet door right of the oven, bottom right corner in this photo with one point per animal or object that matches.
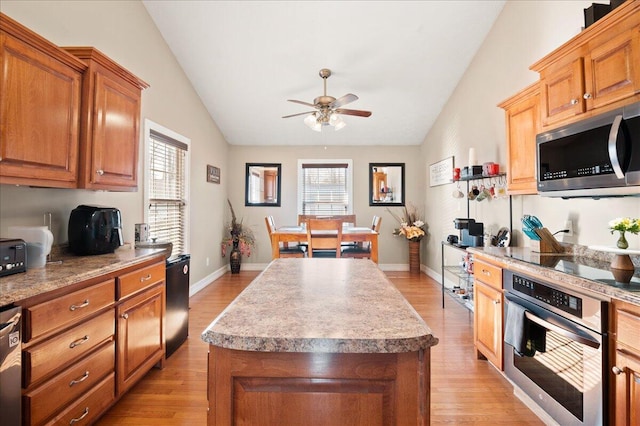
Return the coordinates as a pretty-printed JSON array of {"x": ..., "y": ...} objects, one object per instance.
[{"x": 627, "y": 388}]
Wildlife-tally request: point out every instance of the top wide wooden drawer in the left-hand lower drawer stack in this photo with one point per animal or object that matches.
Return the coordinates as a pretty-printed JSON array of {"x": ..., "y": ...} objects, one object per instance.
[{"x": 68, "y": 309}]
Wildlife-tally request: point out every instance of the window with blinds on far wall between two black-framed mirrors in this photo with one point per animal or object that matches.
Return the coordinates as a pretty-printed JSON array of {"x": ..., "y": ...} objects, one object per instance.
[{"x": 325, "y": 189}]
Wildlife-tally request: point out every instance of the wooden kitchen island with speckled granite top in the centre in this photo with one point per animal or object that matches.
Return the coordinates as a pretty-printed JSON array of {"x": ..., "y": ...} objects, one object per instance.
[{"x": 319, "y": 341}]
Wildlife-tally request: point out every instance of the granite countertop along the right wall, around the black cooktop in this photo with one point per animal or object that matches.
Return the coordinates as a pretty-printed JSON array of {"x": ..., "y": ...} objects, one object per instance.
[{"x": 520, "y": 258}]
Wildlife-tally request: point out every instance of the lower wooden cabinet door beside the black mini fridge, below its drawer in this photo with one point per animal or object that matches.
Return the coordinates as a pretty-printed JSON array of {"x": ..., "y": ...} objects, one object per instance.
[{"x": 140, "y": 335}]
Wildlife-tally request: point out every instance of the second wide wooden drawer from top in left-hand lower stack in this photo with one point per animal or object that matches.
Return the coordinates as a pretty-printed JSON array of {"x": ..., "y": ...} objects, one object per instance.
[{"x": 42, "y": 359}]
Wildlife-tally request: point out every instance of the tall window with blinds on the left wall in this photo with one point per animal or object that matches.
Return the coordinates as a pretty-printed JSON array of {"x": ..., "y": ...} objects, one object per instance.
[{"x": 167, "y": 190}]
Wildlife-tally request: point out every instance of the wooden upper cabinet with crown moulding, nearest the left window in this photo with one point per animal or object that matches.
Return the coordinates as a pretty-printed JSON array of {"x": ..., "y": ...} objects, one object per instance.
[{"x": 110, "y": 123}]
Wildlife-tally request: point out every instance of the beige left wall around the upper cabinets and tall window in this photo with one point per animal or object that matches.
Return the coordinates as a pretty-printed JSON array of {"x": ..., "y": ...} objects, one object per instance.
[{"x": 124, "y": 31}]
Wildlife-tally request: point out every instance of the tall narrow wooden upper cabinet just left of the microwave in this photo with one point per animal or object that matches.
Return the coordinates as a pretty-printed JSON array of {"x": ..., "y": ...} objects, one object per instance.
[{"x": 522, "y": 118}]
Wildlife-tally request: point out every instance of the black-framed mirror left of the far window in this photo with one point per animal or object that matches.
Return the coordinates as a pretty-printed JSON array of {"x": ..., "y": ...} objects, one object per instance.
[{"x": 262, "y": 185}]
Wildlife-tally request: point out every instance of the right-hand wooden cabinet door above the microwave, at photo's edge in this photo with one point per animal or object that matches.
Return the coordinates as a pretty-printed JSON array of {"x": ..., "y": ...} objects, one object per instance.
[{"x": 612, "y": 70}]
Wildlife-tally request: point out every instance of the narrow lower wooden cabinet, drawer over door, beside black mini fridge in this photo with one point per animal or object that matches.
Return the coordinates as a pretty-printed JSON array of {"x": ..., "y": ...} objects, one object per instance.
[{"x": 140, "y": 317}]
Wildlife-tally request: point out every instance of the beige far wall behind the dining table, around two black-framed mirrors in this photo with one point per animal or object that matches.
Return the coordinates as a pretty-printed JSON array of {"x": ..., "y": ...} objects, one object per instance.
[{"x": 393, "y": 251}]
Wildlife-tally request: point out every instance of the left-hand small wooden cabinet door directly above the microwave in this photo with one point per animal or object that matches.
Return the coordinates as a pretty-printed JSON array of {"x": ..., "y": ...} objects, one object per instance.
[{"x": 562, "y": 91}]
